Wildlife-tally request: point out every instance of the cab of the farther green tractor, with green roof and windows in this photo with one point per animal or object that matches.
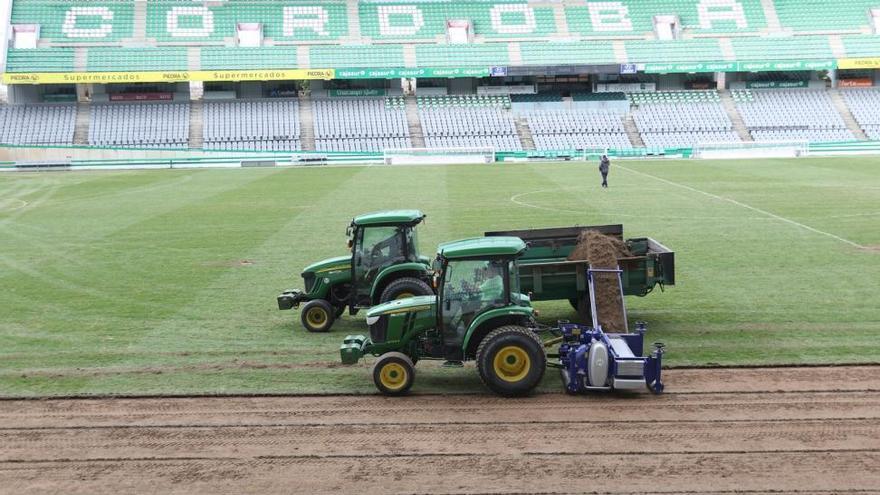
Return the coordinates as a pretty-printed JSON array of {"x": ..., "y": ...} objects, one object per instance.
[{"x": 379, "y": 241}]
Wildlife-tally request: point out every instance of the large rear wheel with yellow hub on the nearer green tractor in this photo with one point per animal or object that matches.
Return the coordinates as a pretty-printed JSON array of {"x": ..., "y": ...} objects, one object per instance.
[{"x": 511, "y": 360}]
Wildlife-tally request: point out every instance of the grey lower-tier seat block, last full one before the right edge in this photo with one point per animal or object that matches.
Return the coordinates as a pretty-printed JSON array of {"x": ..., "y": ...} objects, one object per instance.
[{"x": 796, "y": 114}]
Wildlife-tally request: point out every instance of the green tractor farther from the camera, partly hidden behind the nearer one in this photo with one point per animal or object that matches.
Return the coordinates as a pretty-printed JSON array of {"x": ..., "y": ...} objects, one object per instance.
[{"x": 384, "y": 265}]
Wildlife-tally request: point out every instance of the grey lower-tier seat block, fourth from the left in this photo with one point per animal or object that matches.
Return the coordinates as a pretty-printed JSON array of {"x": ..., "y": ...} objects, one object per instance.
[{"x": 361, "y": 124}]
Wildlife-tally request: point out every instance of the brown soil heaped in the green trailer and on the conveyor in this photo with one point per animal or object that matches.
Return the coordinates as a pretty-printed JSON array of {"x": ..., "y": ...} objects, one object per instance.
[{"x": 602, "y": 251}]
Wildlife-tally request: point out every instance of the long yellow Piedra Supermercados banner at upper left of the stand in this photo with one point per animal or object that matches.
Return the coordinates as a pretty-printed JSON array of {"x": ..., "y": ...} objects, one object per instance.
[{"x": 168, "y": 77}]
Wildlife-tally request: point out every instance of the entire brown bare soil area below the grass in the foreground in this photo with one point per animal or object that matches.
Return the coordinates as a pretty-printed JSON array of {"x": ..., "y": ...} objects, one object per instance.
[{"x": 789, "y": 430}]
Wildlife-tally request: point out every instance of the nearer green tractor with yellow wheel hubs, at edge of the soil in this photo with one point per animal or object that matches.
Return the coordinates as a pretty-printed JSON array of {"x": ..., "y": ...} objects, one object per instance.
[{"x": 478, "y": 314}]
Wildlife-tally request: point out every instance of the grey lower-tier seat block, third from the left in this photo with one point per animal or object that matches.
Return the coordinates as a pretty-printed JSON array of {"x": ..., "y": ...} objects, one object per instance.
[{"x": 259, "y": 125}]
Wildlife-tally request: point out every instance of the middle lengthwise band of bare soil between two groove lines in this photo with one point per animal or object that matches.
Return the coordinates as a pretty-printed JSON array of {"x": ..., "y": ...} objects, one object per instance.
[{"x": 498, "y": 439}]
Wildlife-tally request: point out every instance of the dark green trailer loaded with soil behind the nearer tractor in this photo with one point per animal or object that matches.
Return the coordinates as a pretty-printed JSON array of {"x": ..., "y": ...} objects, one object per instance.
[{"x": 547, "y": 274}]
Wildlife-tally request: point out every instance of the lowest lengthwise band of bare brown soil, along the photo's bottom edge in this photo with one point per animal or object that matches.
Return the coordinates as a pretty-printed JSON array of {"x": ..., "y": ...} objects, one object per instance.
[{"x": 609, "y": 473}]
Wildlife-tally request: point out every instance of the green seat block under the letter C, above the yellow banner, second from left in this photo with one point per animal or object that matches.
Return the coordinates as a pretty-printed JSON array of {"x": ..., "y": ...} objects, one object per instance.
[{"x": 114, "y": 59}]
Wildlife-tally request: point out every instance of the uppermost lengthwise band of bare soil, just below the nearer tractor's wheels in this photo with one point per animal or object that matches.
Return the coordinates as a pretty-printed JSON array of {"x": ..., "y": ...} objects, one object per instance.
[{"x": 438, "y": 409}]
